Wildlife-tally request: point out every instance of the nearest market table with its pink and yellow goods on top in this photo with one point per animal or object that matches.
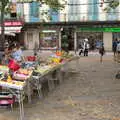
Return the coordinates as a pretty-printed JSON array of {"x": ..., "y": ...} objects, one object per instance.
[{"x": 16, "y": 84}]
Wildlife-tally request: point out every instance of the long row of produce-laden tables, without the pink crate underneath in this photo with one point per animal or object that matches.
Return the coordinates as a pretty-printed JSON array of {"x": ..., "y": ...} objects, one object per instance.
[{"x": 15, "y": 80}]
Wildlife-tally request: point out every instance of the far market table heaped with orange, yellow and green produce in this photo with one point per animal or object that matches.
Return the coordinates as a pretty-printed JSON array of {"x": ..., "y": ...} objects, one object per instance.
[{"x": 53, "y": 65}]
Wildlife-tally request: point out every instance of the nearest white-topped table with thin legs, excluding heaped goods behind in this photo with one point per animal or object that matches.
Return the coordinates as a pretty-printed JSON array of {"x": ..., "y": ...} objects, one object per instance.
[{"x": 17, "y": 89}]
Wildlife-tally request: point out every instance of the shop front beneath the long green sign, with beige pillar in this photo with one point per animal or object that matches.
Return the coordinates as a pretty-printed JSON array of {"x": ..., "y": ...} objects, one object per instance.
[{"x": 98, "y": 35}]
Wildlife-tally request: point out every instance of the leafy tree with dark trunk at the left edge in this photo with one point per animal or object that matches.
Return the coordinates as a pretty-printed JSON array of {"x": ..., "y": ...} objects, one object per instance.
[{"x": 4, "y": 7}]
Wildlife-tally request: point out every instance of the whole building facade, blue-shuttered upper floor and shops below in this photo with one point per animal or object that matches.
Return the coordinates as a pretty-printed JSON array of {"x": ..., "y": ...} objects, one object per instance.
[{"x": 88, "y": 14}]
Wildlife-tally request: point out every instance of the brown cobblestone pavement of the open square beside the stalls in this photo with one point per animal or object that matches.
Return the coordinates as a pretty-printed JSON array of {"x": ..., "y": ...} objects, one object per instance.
[{"x": 90, "y": 92}]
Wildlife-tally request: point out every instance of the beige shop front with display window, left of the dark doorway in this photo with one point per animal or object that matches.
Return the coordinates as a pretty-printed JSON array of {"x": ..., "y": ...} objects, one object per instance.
[{"x": 42, "y": 39}]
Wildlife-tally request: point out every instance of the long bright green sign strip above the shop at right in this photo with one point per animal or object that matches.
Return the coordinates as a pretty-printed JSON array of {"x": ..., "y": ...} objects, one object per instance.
[{"x": 104, "y": 29}]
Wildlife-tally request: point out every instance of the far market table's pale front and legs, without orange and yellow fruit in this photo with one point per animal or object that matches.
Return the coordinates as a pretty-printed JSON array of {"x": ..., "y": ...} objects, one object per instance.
[{"x": 46, "y": 71}]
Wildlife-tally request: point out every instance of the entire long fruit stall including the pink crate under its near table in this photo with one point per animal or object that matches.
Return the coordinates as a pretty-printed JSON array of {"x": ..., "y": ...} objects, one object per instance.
[{"x": 18, "y": 80}]
